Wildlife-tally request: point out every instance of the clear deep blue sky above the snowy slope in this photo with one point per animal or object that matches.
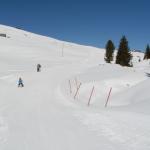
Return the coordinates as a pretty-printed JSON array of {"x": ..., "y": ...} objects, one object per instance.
[{"x": 89, "y": 22}]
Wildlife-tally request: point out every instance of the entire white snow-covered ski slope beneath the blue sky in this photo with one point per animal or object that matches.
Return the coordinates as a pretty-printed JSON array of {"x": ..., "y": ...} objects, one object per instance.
[{"x": 46, "y": 114}]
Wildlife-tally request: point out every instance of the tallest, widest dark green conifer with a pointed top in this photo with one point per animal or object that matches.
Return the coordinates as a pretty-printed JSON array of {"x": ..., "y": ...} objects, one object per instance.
[{"x": 123, "y": 55}]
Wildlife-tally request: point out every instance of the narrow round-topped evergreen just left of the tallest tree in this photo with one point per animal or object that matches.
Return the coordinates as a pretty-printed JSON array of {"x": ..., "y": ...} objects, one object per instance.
[{"x": 109, "y": 51}]
